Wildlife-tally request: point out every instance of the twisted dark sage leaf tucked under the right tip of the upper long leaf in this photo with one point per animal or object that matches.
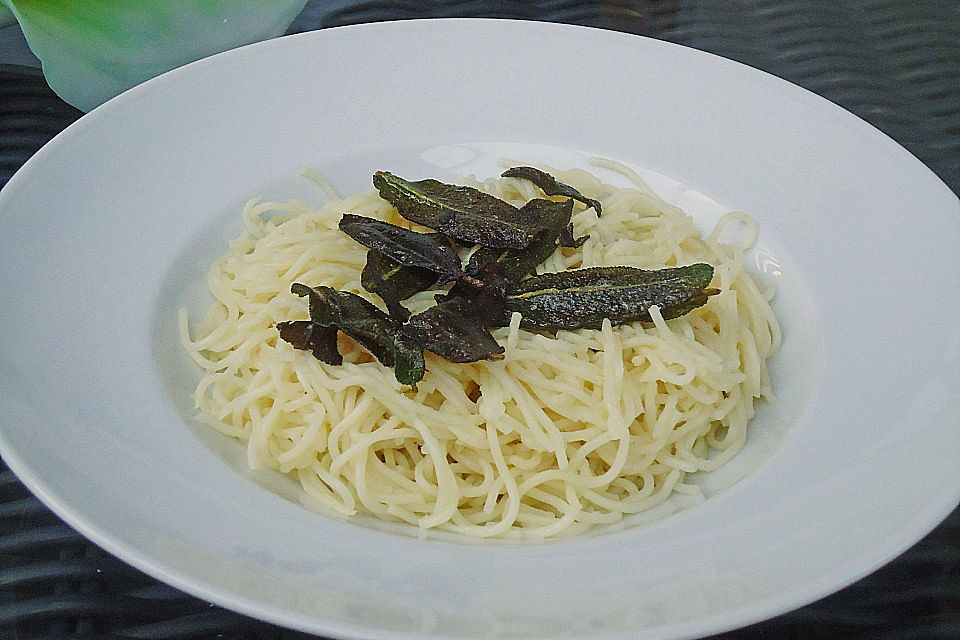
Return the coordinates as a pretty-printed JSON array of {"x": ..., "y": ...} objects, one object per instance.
[{"x": 517, "y": 263}]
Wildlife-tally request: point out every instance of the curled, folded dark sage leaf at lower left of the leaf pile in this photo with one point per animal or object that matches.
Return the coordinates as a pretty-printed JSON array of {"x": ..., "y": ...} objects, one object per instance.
[{"x": 365, "y": 323}]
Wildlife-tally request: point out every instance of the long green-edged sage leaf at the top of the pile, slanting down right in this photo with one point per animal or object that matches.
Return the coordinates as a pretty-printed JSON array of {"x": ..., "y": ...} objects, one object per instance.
[{"x": 462, "y": 213}]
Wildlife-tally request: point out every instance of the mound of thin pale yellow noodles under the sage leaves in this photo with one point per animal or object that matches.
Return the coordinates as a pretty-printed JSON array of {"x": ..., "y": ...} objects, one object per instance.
[{"x": 568, "y": 431}]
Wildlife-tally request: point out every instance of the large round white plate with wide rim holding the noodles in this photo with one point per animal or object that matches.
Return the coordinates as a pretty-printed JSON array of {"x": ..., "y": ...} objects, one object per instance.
[{"x": 110, "y": 227}]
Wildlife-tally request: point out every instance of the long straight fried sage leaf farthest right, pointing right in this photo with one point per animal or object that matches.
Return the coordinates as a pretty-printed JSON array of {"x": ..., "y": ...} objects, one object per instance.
[{"x": 582, "y": 298}]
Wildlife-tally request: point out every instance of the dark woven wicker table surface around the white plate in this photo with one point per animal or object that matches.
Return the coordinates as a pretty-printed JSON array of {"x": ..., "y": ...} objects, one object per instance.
[{"x": 894, "y": 63}]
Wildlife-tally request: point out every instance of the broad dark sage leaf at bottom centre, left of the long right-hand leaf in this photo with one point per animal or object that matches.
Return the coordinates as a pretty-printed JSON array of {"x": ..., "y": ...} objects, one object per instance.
[{"x": 451, "y": 331}]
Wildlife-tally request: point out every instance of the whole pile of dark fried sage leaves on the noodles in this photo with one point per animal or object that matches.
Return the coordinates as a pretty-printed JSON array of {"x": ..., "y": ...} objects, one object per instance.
[{"x": 511, "y": 243}]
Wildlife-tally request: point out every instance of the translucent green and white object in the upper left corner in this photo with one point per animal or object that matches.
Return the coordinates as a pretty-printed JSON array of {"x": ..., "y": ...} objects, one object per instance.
[{"x": 92, "y": 50}]
